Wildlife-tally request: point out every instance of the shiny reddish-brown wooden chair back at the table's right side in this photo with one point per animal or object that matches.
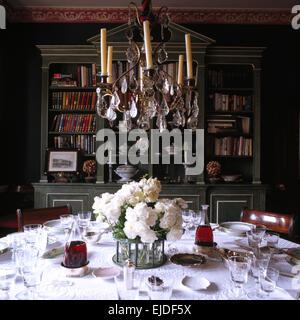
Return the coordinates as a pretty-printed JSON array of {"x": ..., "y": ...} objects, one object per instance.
[{"x": 279, "y": 222}]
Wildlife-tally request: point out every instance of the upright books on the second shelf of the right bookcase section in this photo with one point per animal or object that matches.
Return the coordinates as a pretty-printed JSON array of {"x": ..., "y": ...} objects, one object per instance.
[{"x": 230, "y": 102}]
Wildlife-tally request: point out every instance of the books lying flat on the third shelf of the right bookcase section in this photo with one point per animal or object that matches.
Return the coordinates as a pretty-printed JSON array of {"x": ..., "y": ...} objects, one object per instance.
[{"x": 228, "y": 124}]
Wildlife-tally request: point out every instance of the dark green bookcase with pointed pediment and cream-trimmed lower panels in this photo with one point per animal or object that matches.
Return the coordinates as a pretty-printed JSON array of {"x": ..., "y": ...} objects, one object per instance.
[{"x": 225, "y": 199}]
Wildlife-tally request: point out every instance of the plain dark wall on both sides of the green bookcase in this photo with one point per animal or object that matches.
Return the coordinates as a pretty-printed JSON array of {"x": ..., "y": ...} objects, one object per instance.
[{"x": 20, "y": 105}]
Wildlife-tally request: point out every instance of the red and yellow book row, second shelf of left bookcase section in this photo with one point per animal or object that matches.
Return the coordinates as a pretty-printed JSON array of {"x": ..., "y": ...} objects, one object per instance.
[{"x": 75, "y": 100}]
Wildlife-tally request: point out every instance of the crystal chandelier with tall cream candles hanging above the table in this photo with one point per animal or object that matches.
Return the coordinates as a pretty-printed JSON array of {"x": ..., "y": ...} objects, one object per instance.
[{"x": 155, "y": 96}]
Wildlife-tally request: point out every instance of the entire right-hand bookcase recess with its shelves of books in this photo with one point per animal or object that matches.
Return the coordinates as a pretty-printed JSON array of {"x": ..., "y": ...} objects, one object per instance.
[{"x": 232, "y": 108}]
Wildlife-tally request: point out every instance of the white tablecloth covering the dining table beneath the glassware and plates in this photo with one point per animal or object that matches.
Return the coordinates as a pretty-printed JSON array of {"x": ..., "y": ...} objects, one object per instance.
[{"x": 100, "y": 255}]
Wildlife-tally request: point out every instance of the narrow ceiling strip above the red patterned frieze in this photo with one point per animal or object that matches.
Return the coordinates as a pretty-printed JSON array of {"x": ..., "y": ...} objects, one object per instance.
[{"x": 275, "y": 4}]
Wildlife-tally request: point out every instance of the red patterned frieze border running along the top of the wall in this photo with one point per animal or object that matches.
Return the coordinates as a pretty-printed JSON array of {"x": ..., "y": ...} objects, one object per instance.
[{"x": 120, "y": 15}]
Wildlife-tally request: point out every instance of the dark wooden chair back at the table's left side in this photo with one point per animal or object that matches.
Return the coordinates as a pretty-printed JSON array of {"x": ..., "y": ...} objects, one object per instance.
[{"x": 40, "y": 215}]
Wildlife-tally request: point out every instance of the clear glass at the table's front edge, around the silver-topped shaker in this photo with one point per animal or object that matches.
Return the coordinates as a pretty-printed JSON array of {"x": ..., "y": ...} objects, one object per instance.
[{"x": 122, "y": 291}]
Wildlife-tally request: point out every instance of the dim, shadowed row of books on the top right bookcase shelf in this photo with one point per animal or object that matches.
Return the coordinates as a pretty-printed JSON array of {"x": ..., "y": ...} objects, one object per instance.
[{"x": 218, "y": 78}]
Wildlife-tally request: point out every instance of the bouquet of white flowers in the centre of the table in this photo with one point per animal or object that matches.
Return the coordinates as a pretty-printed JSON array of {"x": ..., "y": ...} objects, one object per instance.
[{"x": 134, "y": 212}]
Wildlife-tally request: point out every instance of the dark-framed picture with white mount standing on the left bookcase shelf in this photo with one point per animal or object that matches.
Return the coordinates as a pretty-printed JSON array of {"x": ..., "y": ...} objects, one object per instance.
[{"x": 63, "y": 164}]
